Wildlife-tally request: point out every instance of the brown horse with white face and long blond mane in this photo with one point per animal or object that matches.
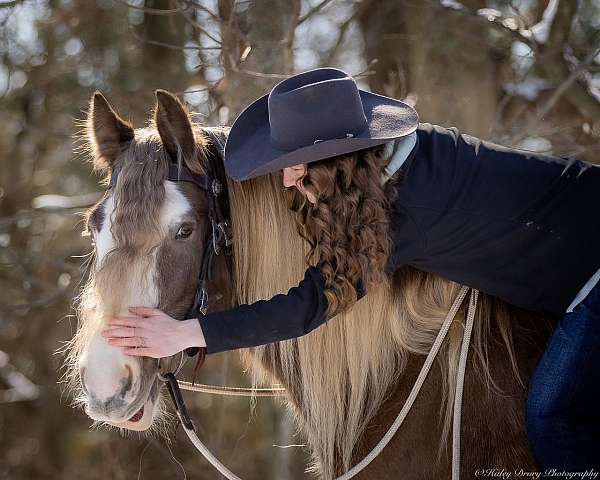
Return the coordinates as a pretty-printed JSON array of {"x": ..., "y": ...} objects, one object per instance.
[{"x": 346, "y": 380}]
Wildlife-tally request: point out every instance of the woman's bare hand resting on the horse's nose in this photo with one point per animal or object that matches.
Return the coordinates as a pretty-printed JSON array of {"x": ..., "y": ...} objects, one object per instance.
[{"x": 152, "y": 333}]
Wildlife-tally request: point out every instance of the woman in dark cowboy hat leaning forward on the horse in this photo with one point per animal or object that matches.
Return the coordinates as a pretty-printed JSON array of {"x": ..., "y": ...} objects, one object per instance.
[{"x": 513, "y": 224}]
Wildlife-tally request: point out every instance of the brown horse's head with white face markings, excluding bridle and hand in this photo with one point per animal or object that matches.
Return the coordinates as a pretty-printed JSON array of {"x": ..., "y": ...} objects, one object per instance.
[{"x": 149, "y": 235}]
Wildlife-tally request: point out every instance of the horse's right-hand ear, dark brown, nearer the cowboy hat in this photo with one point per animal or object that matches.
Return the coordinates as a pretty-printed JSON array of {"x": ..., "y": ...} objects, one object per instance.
[{"x": 175, "y": 129}]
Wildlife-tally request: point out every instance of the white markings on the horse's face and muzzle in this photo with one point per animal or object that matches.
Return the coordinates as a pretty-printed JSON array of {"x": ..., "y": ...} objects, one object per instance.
[{"x": 107, "y": 369}]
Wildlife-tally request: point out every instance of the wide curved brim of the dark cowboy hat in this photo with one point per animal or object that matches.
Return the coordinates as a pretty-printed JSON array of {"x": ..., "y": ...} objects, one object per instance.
[{"x": 250, "y": 153}]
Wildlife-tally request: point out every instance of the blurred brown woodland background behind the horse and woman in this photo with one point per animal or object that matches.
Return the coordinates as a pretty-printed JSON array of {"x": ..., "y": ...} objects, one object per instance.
[{"x": 523, "y": 73}]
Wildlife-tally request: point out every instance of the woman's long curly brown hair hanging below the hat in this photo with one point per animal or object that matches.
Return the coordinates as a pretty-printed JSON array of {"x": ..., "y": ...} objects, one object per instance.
[{"x": 347, "y": 227}]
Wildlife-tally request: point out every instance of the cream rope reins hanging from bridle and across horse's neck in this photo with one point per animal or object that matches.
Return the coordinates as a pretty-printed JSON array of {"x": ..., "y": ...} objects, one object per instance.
[{"x": 189, "y": 429}]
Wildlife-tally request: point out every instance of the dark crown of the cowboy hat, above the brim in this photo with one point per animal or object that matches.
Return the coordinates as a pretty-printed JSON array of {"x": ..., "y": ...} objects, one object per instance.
[{"x": 317, "y": 105}]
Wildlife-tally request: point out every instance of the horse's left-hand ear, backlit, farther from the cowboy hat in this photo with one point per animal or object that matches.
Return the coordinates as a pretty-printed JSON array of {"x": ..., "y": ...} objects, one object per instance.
[{"x": 107, "y": 132}]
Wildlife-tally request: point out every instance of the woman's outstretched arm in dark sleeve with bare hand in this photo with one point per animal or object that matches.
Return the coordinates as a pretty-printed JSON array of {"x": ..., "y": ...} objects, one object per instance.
[{"x": 152, "y": 333}]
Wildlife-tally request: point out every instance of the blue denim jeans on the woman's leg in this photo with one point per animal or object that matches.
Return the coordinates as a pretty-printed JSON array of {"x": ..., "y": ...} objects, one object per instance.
[{"x": 563, "y": 406}]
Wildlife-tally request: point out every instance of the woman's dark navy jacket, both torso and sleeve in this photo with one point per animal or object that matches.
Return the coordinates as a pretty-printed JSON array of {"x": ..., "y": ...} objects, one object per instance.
[{"x": 521, "y": 226}]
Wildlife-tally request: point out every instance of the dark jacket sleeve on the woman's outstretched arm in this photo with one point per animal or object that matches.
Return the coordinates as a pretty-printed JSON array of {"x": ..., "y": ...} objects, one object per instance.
[{"x": 282, "y": 317}]
